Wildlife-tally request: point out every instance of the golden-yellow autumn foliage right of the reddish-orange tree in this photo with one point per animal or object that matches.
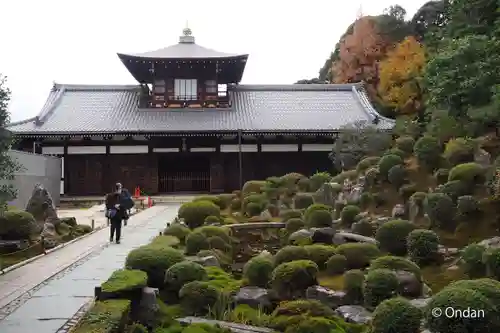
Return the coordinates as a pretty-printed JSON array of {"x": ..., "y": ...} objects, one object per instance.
[{"x": 400, "y": 73}]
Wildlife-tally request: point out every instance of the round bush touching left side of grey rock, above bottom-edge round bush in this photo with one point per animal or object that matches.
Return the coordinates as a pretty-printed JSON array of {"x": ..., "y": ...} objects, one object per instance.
[{"x": 380, "y": 284}]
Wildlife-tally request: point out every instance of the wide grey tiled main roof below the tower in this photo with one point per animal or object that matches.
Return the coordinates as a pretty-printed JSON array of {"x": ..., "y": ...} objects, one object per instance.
[{"x": 82, "y": 109}]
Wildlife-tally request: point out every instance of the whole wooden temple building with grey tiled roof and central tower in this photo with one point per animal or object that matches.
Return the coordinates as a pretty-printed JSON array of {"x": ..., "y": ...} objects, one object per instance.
[{"x": 189, "y": 126}]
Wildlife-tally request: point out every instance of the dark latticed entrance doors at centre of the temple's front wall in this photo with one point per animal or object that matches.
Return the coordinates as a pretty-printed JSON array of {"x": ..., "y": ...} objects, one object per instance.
[{"x": 188, "y": 173}]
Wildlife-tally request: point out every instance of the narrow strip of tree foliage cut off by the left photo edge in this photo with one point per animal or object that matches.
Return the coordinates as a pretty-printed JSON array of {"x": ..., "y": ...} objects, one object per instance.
[{"x": 8, "y": 166}]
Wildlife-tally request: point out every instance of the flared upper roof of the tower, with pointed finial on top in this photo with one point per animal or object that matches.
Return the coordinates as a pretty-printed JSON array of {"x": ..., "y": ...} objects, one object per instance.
[{"x": 147, "y": 66}]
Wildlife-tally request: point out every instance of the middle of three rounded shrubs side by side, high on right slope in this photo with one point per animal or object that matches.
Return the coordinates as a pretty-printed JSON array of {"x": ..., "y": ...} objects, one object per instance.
[{"x": 440, "y": 210}]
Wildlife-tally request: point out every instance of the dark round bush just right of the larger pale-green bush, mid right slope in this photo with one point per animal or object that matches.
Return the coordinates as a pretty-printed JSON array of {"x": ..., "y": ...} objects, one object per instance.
[{"x": 423, "y": 246}]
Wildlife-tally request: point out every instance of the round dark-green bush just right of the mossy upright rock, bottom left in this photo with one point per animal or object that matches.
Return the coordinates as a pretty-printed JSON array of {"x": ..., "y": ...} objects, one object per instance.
[{"x": 197, "y": 297}]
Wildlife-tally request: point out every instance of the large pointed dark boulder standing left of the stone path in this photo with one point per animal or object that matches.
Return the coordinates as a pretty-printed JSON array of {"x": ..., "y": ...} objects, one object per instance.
[{"x": 41, "y": 206}]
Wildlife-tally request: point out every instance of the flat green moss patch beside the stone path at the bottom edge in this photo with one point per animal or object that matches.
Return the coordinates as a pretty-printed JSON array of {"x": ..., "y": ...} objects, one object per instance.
[{"x": 105, "y": 317}]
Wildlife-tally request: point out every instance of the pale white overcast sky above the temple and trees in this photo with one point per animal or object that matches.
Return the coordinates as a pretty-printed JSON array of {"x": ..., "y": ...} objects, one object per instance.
[{"x": 76, "y": 41}]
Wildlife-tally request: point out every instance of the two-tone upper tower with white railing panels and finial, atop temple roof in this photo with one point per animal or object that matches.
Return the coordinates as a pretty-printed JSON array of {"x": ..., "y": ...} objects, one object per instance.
[{"x": 185, "y": 75}]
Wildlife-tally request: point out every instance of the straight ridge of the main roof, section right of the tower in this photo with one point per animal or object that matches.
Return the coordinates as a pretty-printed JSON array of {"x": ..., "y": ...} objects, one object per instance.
[{"x": 295, "y": 87}]
